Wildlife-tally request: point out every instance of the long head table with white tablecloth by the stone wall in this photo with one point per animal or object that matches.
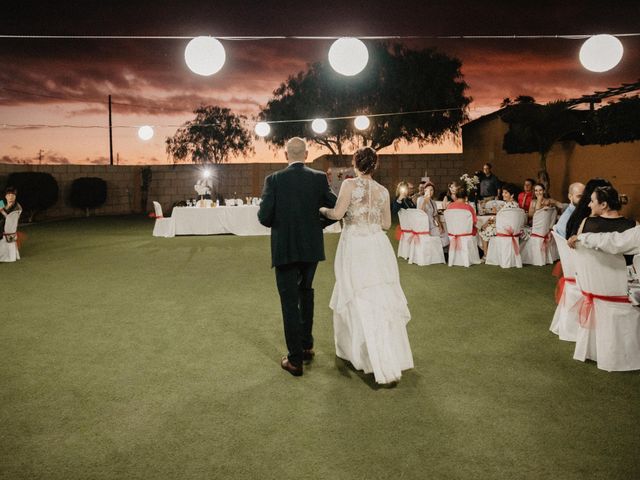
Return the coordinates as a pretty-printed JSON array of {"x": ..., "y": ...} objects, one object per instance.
[{"x": 238, "y": 220}]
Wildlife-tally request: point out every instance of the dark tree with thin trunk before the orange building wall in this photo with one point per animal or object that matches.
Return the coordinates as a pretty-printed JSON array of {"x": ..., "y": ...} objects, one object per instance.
[{"x": 535, "y": 128}]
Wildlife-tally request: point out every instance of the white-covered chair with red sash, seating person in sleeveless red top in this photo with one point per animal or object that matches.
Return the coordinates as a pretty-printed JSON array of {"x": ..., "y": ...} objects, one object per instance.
[{"x": 463, "y": 249}]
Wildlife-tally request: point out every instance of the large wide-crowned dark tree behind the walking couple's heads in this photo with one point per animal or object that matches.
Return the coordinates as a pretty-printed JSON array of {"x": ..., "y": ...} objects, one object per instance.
[{"x": 396, "y": 80}]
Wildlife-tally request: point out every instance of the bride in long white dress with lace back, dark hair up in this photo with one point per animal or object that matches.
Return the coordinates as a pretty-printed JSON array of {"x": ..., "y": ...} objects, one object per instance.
[{"x": 370, "y": 310}]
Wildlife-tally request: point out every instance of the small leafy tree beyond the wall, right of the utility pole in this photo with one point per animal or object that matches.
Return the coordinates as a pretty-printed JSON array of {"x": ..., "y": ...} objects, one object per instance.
[{"x": 214, "y": 135}]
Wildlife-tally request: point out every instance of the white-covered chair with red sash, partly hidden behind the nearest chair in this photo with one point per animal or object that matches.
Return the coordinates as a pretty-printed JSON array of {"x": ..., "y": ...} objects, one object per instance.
[{"x": 568, "y": 295}]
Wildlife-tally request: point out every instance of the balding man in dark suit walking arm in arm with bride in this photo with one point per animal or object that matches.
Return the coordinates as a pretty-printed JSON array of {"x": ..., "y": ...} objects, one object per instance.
[{"x": 291, "y": 200}]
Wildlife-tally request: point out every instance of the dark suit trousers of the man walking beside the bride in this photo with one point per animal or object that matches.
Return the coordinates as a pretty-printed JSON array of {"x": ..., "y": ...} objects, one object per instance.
[{"x": 294, "y": 282}]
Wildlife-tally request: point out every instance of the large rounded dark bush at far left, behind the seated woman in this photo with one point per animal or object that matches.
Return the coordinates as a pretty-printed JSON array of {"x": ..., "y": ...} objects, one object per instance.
[{"x": 37, "y": 191}]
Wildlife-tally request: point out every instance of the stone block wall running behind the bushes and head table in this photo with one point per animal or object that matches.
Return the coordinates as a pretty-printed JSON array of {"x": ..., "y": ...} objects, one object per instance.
[{"x": 173, "y": 183}]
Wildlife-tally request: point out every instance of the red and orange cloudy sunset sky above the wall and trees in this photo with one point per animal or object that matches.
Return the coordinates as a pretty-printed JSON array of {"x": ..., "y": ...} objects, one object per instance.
[{"x": 66, "y": 82}]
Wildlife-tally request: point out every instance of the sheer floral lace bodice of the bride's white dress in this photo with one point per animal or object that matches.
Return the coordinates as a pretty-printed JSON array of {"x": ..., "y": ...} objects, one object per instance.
[{"x": 363, "y": 203}]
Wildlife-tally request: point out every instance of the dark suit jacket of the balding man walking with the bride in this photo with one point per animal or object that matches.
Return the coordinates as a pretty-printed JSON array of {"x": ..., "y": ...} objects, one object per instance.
[{"x": 290, "y": 202}]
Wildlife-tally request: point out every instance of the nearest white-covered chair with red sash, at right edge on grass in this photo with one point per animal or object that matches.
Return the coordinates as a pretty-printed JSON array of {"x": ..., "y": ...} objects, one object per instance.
[{"x": 609, "y": 326}]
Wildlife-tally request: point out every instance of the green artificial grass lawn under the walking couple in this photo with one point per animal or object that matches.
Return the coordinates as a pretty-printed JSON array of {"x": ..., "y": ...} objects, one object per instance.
[{"x": 124, "y": 356}]
